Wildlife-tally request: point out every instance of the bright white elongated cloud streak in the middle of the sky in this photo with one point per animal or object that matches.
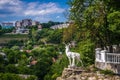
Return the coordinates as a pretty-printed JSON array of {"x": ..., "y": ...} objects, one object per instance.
[{"x": 43, "y": 9}]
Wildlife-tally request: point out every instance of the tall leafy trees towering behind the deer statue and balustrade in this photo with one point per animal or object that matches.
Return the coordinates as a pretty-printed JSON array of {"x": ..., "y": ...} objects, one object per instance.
[{"x": 96, "y": 22}]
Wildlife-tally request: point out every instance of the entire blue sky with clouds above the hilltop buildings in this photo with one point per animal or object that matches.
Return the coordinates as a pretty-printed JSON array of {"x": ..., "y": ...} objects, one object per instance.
[{"x": 39, "y": 10}]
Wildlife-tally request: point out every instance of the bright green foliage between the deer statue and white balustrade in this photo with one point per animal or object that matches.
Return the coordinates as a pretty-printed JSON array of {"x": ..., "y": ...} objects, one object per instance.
[{"x": 86, "y": 49}]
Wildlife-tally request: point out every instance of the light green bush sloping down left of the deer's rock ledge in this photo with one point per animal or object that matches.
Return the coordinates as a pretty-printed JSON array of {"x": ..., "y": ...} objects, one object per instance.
[{"x": 57, "y": 68}]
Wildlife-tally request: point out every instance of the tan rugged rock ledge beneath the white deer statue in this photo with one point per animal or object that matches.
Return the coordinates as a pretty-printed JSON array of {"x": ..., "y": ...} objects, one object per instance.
[{"x": 80, "y": 74}]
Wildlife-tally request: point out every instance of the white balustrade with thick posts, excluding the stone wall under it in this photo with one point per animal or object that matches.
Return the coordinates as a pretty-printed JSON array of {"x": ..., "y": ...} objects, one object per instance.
[{"x": 110, "y": 54}]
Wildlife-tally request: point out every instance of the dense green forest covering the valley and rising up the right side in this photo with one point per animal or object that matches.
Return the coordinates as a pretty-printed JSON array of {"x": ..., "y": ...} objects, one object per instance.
[{"x": 93, "y": 23}]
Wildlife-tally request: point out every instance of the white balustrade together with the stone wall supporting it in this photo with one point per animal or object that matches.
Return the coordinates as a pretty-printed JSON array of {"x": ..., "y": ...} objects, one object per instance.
[{"x": 108, "y": 59}]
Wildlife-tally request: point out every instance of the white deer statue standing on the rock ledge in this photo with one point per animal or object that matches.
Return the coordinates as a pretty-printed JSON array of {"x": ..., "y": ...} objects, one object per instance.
[{"x": 72, "y": 56}]
